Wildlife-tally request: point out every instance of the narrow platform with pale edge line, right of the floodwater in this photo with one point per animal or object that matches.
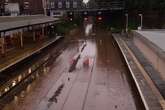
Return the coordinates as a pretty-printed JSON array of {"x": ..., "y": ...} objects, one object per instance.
[{"x": 149, "y": 94}]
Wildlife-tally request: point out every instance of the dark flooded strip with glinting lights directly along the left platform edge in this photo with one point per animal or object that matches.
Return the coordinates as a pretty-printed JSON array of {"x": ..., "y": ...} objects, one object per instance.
[{"x": 31, "y": 68}]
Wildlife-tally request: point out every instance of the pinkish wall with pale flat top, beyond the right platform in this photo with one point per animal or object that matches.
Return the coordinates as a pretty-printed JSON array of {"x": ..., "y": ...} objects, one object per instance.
[{"x": 151, "y": 44}]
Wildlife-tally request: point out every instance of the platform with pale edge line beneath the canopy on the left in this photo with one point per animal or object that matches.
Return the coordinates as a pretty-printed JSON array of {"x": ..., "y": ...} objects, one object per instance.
[{"x": 17, "y": 55}]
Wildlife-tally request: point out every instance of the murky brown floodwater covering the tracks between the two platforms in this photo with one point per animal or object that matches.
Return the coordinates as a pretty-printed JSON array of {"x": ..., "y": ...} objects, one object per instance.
[{"x": 100, "y": 80}]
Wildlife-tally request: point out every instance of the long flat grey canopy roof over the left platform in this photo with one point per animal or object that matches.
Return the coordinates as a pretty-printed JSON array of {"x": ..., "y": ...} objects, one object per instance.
[{"x": 12, "y": 23}]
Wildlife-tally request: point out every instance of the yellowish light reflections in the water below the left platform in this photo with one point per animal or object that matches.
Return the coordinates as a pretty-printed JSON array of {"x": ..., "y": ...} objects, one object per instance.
[{"x": 16, "y": 89}]
